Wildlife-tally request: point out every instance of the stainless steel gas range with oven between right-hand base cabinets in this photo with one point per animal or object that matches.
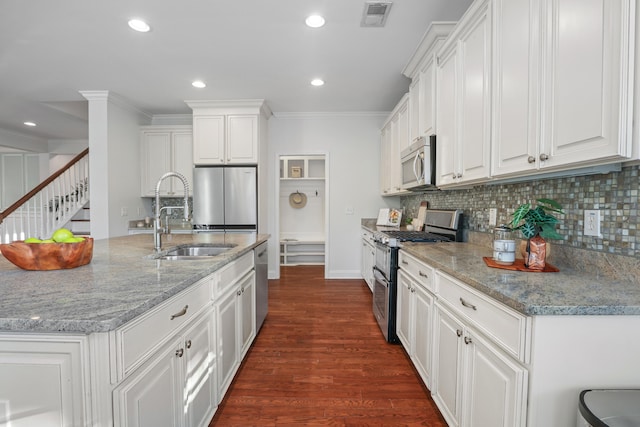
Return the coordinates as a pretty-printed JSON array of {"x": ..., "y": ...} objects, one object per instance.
[{"x": 440, "y": 226}]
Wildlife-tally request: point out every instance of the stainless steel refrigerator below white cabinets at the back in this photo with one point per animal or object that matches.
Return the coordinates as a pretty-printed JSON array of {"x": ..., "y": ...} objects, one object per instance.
[{"x": 225, "y": 198}]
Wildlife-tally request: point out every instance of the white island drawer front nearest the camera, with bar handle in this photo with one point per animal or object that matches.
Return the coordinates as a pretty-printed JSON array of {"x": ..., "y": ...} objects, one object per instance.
[{"x": 140, "y": 337}]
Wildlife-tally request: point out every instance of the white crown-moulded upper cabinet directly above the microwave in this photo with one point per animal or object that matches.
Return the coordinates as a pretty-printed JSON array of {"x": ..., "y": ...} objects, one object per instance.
[{"x": 421, "y": 69}]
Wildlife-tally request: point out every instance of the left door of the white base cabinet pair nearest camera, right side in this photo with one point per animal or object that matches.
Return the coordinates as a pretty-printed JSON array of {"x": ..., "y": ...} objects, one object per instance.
[{"x": 447, "y": 373}]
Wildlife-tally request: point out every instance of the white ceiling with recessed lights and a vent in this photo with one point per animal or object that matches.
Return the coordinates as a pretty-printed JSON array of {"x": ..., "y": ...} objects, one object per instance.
[{"x": 51, "y": 50}]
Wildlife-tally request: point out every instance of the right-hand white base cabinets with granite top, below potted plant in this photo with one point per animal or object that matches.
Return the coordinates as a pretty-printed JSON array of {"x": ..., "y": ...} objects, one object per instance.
[{"x": 510, "y": 348}]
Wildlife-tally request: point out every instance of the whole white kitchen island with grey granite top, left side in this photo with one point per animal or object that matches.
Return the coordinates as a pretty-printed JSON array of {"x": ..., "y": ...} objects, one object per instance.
[{"x": 127, "y": 339}]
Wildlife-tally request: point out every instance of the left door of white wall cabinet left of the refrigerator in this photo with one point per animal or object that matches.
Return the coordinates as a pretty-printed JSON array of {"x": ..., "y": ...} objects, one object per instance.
[{"x": 156, "y": 161}]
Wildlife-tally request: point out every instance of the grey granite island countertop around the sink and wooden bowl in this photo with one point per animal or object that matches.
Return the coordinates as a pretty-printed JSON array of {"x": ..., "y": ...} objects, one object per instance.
[{"x": 121, "y": 282}]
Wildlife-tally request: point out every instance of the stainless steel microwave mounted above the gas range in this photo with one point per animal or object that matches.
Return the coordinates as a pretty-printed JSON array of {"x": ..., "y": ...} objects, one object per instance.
[{"x": 419, "y": 165}]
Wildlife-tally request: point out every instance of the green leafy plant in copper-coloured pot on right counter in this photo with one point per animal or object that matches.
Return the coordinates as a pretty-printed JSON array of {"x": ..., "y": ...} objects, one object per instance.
[{"x": 537, "y": 224}]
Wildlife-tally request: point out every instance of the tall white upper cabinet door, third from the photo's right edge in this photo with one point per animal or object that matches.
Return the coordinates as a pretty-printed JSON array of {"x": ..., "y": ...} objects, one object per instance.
[{"x": 475, "y": 98}]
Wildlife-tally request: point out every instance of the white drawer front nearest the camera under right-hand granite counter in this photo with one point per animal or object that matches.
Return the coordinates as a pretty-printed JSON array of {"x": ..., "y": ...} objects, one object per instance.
[{"x": 505, "y": 326}]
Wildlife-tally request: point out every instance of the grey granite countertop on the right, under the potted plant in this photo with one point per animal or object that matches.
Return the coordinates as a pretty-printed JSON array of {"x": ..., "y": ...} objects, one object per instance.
[{"x": 568, "y": 292}]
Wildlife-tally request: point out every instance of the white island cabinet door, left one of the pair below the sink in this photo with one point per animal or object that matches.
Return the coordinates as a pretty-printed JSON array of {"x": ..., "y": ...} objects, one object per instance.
[{"x": 227, "y": 336}]
